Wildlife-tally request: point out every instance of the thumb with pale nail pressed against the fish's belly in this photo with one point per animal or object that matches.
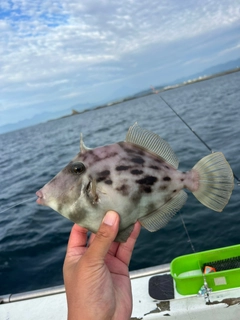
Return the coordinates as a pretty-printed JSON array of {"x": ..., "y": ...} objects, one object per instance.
[{"x": 105, "y": 236}]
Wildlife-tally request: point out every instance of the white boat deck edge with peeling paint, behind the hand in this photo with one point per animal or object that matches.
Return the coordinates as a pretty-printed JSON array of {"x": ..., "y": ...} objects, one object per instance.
[{"x": 51, "y": 303}]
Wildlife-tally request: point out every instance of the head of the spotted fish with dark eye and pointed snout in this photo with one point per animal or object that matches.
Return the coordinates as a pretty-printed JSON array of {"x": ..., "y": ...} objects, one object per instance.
[{"x": 72, "y": 192}]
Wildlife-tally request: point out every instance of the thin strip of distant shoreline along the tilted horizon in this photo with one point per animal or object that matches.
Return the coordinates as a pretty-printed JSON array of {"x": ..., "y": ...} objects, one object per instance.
[{"x": 150, "y": 92}]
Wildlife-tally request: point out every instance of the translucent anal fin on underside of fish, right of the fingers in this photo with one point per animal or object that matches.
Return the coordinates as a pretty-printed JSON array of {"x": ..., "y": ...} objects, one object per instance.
[{"x": 160, "y": 217}]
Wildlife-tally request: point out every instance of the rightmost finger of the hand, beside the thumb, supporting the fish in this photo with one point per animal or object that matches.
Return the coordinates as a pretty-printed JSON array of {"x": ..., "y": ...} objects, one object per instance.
[{"x": 125, "y": 250}]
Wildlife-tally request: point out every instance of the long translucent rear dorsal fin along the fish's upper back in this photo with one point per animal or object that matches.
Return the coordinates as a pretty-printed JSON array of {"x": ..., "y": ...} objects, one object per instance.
[{"x": 153, "y": 143}]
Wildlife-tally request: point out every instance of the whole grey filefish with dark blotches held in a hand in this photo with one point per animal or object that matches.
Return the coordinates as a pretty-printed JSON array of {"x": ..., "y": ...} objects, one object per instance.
[{"x": 139, "y": 179}]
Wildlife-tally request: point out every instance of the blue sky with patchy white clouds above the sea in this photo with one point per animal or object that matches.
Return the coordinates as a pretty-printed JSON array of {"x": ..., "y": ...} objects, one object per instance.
[{"x": 55, "y": 54}]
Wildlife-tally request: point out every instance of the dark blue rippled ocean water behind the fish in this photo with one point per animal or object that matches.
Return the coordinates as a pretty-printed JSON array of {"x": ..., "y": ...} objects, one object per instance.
[{"x": 33, "y": 238}]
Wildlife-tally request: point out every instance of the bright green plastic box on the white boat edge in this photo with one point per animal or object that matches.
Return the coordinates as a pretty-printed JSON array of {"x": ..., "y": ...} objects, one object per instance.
[{"x": 187, "y": 271}]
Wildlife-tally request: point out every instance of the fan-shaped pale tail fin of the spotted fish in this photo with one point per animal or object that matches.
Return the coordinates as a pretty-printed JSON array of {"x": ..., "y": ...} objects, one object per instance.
[{"x": 215, "y": 181}]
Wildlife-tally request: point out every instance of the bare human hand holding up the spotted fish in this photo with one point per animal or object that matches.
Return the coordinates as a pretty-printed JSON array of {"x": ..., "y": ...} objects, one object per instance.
[{"x": 96, "y": 277}]
